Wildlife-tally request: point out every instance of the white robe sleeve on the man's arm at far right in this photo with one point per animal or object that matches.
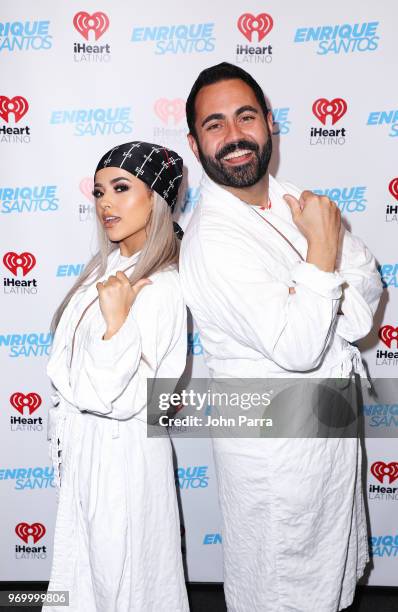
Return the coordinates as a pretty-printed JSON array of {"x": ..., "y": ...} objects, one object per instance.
[{"x": 361, "y": 290}]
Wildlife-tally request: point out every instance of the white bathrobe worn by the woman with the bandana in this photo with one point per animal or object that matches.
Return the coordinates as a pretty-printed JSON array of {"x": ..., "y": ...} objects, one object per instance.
[{"x": 117, "y": 545}]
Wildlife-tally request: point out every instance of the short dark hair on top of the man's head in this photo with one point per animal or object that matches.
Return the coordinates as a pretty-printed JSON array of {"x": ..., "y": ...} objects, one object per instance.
[{"x": 214, "y": 74}]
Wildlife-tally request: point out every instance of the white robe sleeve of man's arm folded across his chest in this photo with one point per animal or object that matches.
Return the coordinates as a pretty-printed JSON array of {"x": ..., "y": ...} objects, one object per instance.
[{"x": 253, "y": 307}]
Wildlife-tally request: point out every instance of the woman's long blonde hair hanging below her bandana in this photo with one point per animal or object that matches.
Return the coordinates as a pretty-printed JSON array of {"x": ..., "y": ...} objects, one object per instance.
[{"x": 160, "y": 250}]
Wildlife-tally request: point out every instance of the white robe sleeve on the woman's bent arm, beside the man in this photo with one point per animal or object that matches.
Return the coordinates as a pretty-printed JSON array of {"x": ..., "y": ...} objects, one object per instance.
[{"x": 114, "y": 372}]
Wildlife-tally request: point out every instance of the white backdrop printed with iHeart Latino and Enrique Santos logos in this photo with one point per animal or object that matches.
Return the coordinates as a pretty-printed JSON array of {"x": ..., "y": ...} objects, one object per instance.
[{"x": 81, "y": 76}]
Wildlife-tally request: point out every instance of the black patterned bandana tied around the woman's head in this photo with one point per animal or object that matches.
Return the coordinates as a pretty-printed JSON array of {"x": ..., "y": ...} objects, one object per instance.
[{"x": 158, "y": 167}]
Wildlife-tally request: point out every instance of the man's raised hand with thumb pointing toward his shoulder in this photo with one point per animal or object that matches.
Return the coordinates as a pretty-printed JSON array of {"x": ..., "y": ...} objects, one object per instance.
[{"x": 319, "y": 220}]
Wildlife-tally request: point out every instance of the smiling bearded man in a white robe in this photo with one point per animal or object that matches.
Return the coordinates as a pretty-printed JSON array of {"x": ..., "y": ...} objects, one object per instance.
[{"x": 277, "y": 288}]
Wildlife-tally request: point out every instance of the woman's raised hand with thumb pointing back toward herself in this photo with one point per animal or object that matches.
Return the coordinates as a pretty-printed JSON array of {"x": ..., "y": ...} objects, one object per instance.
[{"x": 116, "y": 296}]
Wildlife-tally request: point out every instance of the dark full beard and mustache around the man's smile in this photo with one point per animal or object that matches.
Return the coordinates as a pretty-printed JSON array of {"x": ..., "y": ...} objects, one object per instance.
[{"x": 245, "y": 175}]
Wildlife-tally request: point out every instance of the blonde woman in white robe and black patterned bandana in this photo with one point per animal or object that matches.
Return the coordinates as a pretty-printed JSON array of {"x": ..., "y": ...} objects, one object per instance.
[{"x": 117, "y": 541}]
